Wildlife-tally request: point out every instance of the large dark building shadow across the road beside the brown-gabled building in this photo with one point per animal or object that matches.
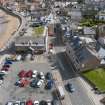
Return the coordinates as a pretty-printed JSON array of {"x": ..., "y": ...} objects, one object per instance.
[{"x": 64, "y": 67}]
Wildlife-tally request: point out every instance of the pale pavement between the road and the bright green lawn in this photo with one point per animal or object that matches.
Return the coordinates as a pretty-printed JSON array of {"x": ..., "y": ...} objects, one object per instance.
[{"x": 94, "y": 97}]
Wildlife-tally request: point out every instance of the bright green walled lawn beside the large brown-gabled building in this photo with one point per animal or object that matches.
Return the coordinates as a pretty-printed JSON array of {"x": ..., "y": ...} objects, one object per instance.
[{"x": 97, "y": 77}]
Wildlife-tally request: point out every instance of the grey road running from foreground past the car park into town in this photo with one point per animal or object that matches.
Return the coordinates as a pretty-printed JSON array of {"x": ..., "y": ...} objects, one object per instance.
[{"x": 79, "y": 97}]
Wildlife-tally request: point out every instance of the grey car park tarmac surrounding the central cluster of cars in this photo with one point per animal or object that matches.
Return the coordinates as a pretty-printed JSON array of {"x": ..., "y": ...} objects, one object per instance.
[{"x": 10, "y": 92}]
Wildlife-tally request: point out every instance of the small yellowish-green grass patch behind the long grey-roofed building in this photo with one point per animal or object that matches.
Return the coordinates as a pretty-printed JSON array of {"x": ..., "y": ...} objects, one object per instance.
[{"x": 38, "y": 31}]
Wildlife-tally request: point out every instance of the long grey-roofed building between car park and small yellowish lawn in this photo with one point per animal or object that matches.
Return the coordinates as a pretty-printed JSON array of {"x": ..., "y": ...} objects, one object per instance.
[{"x": 29, "y": 44}]
